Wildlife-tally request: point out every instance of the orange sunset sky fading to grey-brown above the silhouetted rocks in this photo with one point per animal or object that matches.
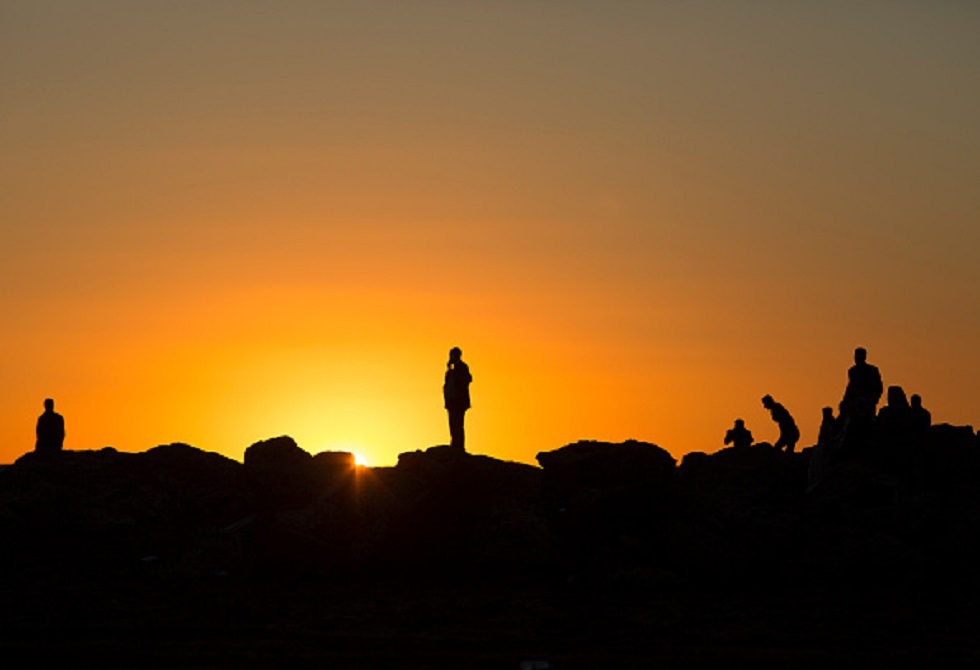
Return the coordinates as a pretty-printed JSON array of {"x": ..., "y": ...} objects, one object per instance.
[{"x": 226, "y": 221}]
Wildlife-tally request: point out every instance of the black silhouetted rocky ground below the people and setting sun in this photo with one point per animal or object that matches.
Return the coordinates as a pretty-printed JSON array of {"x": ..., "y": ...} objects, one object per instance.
[{"x": 607, "y": 556}]
